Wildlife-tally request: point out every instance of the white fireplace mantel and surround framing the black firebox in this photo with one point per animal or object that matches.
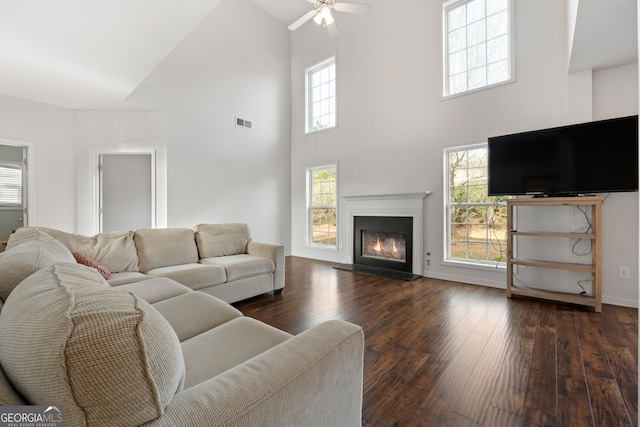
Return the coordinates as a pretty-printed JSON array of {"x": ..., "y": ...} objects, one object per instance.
[{"x": 398, "y": 204}]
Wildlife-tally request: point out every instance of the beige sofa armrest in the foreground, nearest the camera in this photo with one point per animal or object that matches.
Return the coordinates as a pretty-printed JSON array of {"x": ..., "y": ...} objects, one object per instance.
[{"x": 314, "y": 378}]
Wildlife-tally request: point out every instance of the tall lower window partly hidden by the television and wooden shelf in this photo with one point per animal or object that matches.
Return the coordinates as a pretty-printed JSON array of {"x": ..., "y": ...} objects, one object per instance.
[{"x": 476, "y": 224}]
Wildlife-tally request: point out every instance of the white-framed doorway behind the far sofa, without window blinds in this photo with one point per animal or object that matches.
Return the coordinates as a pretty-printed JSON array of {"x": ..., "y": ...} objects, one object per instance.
[{"x": 127, "y": 191}]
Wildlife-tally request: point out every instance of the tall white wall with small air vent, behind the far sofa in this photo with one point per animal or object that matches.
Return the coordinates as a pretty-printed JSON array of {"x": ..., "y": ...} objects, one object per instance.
[{"x": 235, "y": 63}]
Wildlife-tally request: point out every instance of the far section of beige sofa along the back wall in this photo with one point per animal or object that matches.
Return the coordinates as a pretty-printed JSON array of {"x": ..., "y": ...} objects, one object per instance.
[{"x": 219, "y": 259}]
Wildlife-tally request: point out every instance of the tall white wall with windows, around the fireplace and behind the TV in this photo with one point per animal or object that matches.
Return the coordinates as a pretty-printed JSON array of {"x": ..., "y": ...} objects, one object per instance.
[{"x": 393, "y": 127}]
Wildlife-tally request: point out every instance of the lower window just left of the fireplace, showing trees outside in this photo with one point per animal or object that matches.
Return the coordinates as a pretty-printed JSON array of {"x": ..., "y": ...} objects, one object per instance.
[{"x": 322, "y": 192}]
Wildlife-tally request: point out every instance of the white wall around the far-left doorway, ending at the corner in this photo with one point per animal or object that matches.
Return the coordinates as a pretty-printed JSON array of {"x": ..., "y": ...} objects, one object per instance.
[{"x": 51, "y": 130}]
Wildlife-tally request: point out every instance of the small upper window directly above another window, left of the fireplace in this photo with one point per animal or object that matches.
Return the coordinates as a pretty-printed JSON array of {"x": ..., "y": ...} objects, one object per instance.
[{"x": 321, "y": 96}]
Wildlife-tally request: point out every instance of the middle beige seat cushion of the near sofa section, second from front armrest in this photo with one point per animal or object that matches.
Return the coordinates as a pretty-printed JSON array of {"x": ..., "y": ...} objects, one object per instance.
[{"x": 193, "y": 313}]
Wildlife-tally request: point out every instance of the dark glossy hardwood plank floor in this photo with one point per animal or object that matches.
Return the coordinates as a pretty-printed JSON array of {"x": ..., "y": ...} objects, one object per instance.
[{"x": 441, "y": 353}]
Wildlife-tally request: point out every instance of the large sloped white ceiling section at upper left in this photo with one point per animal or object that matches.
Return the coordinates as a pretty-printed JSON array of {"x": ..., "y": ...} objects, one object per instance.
[{"x": 88, "y": 54}]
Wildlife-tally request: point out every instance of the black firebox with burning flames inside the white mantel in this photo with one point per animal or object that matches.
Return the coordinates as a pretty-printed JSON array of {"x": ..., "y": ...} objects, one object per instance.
[{"x": 383, "y": 242}]
